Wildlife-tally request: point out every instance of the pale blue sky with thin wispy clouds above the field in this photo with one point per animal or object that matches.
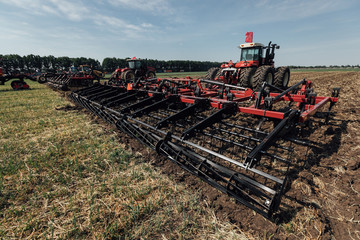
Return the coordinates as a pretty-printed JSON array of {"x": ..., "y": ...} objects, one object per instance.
[{"x": 309, "y": 32}]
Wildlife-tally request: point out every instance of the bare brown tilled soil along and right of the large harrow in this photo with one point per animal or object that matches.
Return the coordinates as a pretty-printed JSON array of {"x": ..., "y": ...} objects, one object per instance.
[{"x": 322, "y": 200}]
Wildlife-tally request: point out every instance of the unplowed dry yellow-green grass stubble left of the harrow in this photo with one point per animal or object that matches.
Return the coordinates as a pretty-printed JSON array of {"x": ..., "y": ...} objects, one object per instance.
[{"x": 64, "y": 176}]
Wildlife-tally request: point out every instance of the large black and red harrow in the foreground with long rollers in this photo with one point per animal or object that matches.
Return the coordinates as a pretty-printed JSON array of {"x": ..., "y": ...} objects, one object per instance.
[{"x": 238, "y": 141}]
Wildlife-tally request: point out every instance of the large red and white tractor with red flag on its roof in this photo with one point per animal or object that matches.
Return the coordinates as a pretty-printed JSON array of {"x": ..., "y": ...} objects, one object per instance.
[{"x": 256, "y": 66}]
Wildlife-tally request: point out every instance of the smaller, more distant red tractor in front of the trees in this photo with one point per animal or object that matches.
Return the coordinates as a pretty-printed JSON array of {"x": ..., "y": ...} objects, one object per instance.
[{"x": 137, "y": 68}]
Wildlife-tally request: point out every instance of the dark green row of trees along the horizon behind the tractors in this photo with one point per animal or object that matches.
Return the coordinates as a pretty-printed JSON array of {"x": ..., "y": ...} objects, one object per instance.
[{"x": 35, "y": 63}]
